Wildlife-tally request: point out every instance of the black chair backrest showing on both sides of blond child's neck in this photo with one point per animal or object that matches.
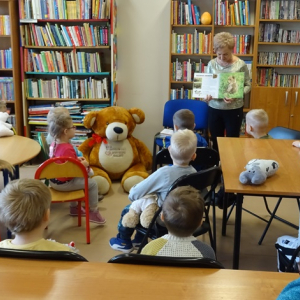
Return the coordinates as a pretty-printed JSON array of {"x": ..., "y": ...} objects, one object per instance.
[{"x": 206, "y": 158}]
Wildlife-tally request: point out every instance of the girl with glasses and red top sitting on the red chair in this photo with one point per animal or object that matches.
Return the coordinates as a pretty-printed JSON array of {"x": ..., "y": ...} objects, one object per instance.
[{"x": 61, "y": 129}]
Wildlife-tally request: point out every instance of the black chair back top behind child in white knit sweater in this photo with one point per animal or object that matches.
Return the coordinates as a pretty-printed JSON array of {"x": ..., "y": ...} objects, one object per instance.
[{"x": 191, "y": 262}]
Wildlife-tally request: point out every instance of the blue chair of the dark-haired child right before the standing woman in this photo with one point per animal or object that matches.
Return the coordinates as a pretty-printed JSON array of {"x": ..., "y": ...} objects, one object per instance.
[{"x": 199, "y": 108}]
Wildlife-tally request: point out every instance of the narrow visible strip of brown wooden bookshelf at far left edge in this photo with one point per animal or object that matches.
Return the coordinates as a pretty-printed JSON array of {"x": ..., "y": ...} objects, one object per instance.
[{"x": 10, "y": 87}]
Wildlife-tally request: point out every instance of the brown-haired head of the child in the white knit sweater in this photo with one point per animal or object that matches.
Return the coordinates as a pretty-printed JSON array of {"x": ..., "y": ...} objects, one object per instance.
[{"x": 182, "y": 211}]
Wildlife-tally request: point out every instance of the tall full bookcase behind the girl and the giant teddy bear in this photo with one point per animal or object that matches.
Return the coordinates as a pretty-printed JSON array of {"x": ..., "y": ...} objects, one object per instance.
[{"x": 68, "y": 54}]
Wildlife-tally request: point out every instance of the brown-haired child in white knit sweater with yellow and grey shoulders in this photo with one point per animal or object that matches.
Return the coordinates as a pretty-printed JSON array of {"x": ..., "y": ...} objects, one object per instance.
[{"x": 182, "y": 213}]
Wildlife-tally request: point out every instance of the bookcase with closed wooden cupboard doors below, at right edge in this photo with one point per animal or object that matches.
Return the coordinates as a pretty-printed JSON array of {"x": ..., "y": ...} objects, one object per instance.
[{"x": 276, "y": 84}]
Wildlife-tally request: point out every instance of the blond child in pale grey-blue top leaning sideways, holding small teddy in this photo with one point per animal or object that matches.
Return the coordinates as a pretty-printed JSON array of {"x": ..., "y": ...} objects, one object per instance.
[{"x": 182, "y": 150}]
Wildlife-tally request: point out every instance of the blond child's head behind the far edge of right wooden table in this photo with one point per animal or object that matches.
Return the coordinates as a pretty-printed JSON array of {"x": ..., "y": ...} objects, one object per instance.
[{"x": 257, "y": 121}]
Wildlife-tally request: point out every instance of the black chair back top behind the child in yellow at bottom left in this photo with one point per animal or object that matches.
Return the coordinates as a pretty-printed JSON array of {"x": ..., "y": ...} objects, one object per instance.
[{"x": 42, "y": 255}]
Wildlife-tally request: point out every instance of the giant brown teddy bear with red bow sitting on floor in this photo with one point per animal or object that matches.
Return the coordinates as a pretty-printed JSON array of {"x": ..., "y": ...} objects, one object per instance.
[{"x": 112, "y": 152}]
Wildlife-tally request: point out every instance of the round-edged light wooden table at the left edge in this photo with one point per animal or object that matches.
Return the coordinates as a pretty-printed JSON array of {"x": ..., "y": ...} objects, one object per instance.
[{"x": 17, "y": 149}]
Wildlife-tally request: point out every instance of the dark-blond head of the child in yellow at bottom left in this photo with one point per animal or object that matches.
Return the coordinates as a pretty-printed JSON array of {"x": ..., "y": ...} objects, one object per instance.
[{"x": 24, "y": 204}]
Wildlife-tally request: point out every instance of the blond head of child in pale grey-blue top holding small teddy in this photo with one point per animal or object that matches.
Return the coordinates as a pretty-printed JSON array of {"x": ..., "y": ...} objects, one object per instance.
[{"x": 183, "y": 146}]
